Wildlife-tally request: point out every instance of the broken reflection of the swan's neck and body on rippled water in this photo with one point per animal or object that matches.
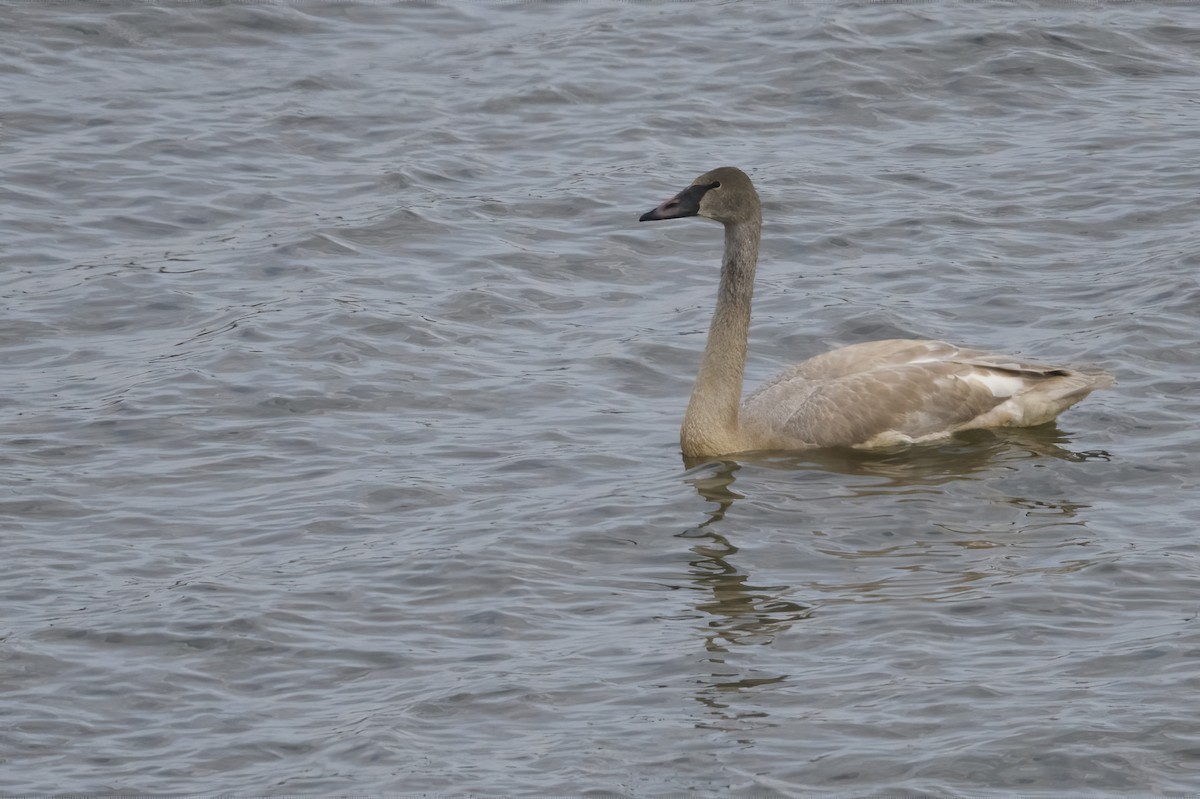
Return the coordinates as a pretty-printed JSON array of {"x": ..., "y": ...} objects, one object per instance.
[{"x": 868, "y": 527}]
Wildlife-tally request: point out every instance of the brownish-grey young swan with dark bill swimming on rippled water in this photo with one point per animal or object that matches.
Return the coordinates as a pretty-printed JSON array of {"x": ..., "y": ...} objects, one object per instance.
[{"x": 872, "y": 395}]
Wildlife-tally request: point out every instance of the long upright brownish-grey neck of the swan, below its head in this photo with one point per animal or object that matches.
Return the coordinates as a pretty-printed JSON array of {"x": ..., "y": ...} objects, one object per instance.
[{"x": 711, "y": 425}]
